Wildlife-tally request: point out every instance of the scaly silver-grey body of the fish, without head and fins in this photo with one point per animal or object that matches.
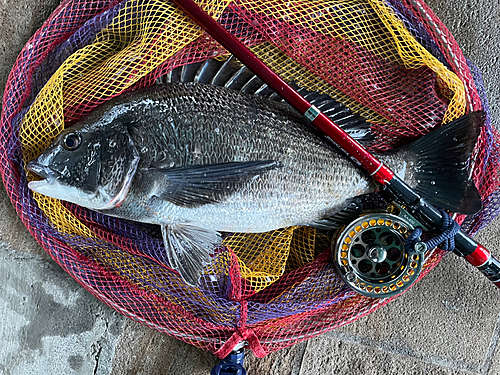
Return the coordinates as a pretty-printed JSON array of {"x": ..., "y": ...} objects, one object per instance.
[{"x": 313, "y": 178}]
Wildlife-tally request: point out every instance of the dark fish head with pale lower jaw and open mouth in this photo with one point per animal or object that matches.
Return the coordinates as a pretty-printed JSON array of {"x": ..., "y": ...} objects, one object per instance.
[{"x": 88, "y": 165}]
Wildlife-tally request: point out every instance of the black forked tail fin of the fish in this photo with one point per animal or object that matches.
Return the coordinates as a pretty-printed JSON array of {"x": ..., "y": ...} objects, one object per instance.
[{"x": 442, "y": 158}]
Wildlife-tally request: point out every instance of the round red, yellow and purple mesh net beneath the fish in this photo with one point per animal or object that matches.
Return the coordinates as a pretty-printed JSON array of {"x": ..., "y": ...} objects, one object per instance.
[{"x": 391, "y": 61}]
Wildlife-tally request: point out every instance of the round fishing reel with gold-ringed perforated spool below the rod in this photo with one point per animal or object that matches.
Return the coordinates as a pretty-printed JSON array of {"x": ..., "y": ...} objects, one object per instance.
[{"x": 371, "y": 258}]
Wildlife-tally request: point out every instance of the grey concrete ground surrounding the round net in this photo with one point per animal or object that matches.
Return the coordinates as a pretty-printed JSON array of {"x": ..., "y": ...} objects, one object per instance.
[{"x": 447, "y": 324}]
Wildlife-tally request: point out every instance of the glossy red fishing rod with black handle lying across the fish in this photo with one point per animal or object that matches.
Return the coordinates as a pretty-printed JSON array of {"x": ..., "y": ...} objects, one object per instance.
[{"x": 472, "y": 251}]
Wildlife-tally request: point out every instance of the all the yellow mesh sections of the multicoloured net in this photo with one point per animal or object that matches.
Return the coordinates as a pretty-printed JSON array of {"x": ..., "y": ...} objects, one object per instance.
[{"x": 125, "y": 52}]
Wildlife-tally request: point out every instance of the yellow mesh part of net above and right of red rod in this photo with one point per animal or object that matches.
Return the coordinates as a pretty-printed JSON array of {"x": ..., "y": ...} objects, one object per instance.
[{"x": 377, "y": 29}]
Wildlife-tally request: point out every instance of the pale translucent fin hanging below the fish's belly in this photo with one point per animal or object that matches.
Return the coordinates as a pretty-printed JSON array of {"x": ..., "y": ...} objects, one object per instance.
[{"x": 188, "y": 248}]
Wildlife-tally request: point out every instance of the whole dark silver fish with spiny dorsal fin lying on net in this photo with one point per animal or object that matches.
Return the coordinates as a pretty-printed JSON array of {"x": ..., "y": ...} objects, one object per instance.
[{"x": 199, "y": 158}]
